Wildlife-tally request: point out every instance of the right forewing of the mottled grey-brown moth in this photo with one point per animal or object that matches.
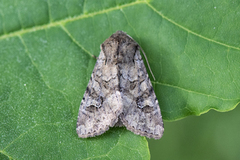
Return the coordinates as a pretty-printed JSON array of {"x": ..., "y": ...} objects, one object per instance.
[{"x": 141, "y": 113}]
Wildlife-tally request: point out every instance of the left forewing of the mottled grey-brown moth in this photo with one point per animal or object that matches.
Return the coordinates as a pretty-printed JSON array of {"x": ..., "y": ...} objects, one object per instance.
[{"x": 101, "y": 103}]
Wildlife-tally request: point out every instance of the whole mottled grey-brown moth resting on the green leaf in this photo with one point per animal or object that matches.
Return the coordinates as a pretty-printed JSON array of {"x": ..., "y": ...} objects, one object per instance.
[{"x": 119, "y": 92}]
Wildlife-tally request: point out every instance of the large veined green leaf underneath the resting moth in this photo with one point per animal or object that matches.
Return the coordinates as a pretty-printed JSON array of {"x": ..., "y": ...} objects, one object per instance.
[{"x": 46, "y": 50}]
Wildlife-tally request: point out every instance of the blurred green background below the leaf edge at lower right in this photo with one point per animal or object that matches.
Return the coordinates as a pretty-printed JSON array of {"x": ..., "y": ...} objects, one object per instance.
[{"x": 213, "y": 135}]
